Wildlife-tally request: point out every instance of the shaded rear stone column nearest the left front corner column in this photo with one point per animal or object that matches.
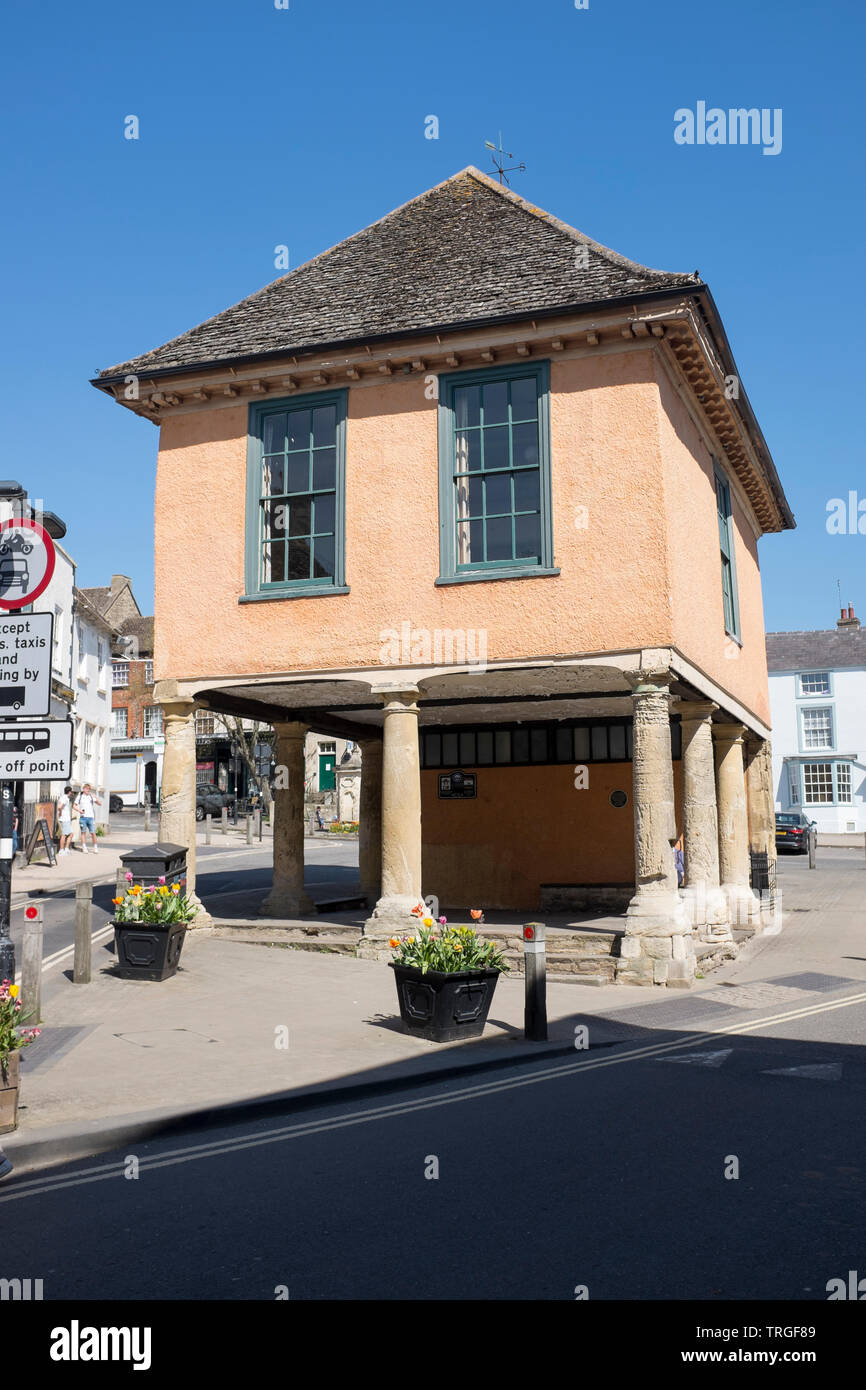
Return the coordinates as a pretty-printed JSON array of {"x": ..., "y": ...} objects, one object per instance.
[{"x": 287, "y": 897}]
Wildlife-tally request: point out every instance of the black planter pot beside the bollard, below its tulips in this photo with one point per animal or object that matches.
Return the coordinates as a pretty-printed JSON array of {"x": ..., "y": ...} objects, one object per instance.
[{"x": 441, "y": 1007}]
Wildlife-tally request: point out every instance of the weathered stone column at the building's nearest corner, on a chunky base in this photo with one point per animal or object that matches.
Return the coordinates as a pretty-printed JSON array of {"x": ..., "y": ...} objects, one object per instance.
[{"x": 658, "y": 947}]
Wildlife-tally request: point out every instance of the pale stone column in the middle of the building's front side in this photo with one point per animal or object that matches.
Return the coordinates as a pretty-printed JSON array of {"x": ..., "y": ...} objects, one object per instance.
[{"x": 401, "y": 814}]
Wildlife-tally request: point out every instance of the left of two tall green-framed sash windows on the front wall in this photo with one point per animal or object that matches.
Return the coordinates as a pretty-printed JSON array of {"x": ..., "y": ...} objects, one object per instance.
[{"x": 295, "y": 497}]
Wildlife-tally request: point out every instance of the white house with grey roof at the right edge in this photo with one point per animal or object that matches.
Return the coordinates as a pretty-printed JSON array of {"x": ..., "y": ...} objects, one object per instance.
[{"x": 818, "y": 703}]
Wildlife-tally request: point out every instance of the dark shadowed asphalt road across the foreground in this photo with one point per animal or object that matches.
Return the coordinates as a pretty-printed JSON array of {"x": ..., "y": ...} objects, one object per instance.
[{"x": 607, "y": 1171}]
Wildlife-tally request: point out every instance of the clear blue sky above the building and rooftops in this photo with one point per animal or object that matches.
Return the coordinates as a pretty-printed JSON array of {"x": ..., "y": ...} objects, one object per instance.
[{"x": 263, "y": 127}]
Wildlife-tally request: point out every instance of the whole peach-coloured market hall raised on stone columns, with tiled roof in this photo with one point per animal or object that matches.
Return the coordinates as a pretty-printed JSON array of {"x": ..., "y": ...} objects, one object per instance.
[{"x": 490, "y": 500}]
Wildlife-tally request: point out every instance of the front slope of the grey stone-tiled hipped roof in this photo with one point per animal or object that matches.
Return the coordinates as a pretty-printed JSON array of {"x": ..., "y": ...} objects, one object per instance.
[{"x": 464, "y": 252}]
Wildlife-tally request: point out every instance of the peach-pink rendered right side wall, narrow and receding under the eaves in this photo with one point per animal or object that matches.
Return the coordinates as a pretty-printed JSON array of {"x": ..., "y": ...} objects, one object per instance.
[{"x": 696, "y": 568}]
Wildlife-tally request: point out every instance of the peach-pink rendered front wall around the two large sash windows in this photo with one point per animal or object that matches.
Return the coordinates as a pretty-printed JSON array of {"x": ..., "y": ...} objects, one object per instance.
[{"x": 611, "y": 593}]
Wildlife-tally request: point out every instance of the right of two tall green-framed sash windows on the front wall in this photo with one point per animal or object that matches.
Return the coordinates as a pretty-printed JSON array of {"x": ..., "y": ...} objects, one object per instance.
[{"x": 496, "y": 509}]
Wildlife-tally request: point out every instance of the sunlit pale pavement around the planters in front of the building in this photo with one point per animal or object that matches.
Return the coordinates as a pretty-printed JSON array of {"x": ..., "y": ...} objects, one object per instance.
[{"x": 248, "y": 1029}]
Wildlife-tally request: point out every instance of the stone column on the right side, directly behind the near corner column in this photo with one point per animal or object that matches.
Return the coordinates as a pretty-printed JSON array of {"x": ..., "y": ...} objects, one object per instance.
[{"x": 705, "y": 903}]
